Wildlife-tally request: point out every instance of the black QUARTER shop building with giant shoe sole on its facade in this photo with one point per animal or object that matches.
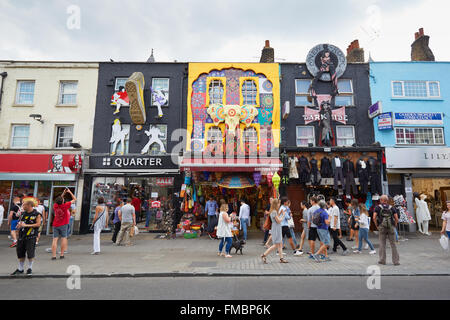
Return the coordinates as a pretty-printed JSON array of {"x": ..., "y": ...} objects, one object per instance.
[{"x": 139, "y": 110}]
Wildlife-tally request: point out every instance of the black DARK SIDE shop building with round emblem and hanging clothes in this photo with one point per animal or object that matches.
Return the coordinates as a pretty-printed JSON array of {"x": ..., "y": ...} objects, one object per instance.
[{"x": 328, "y": 146}]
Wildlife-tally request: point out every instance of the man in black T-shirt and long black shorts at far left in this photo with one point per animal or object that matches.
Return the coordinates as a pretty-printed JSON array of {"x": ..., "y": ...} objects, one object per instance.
[{"x": 27, "y": 226}]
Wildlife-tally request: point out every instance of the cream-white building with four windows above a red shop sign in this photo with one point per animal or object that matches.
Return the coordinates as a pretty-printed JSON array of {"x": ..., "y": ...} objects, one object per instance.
[{"x": 46, "y": 125}]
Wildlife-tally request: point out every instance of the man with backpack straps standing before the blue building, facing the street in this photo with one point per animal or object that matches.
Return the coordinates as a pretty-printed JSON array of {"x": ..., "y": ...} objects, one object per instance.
[{"x": 386, "y": 219}]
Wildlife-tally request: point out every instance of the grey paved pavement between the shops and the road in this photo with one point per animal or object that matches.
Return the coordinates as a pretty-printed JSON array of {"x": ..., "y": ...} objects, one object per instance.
[{"x": 152, "y": 257}]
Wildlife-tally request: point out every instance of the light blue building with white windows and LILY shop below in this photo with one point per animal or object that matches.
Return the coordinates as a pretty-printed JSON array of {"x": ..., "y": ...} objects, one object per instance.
[{"x": 413, "y": 124}]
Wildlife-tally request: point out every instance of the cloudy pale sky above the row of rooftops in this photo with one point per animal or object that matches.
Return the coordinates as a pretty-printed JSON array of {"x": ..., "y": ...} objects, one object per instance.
[{"x": 225, "y": 30}]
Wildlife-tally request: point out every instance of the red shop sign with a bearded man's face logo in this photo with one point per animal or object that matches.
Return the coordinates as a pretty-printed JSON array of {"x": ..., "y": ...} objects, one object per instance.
[{"x": 40, "y": 163}]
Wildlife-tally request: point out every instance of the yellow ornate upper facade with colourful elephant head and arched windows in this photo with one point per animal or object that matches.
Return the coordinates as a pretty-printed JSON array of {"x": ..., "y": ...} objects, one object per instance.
[{"x": 233, "y": 109}]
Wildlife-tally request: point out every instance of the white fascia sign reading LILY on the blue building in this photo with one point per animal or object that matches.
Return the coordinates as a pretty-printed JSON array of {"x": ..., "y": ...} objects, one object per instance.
[{"x": 427, "y": 158}]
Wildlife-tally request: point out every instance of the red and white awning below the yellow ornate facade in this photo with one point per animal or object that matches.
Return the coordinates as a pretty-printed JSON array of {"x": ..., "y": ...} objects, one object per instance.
[{"x": 235, "y": 165}]
